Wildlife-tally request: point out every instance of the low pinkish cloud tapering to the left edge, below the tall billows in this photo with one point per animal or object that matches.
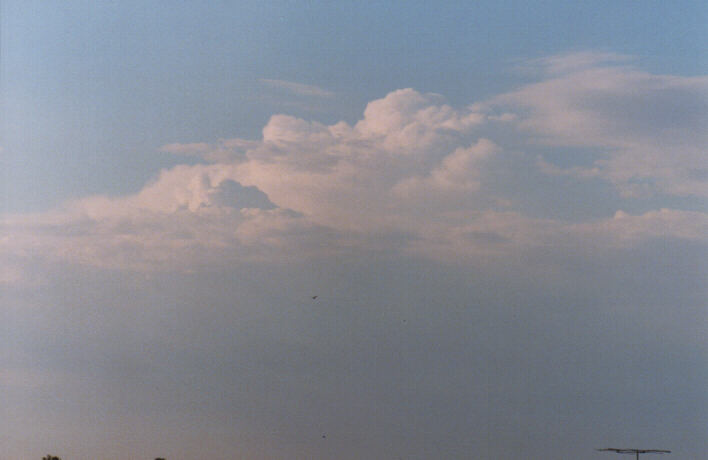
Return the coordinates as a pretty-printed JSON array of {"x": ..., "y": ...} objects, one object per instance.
[{"x": 190, "y": 216}]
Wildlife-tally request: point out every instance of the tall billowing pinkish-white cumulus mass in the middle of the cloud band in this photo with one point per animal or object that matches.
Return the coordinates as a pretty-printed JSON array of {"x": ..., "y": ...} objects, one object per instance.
[{"x": 348, "y": 177}]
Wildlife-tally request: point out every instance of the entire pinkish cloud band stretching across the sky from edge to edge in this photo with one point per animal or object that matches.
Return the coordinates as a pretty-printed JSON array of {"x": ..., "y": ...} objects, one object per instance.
[{"x": 431, "y": 178}]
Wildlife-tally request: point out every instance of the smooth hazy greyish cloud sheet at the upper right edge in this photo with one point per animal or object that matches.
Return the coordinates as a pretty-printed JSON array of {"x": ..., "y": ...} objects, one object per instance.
[{"x": 650, "y": 128}]
